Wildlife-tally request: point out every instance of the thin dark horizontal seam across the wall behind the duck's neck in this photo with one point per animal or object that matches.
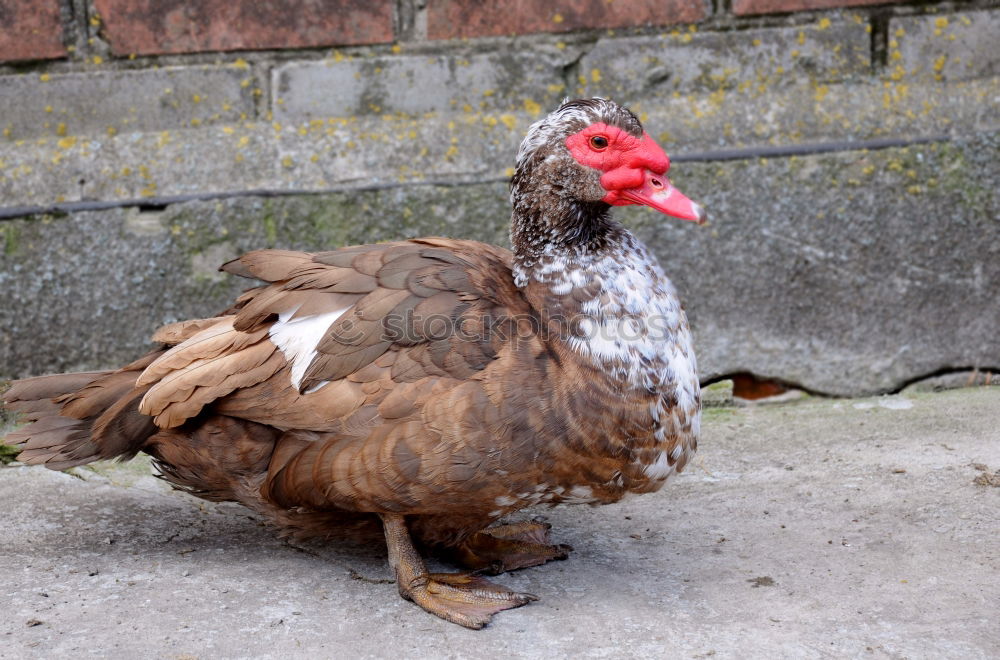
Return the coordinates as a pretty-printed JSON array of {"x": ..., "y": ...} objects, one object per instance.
[{"x": 746, "y": 153}]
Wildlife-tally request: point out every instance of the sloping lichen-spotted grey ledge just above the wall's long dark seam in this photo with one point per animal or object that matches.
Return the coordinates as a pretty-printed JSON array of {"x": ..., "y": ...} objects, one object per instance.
[{"x": 457, "y": 146}]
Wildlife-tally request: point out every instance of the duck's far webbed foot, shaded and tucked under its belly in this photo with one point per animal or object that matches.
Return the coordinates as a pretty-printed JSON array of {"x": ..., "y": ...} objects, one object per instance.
[{"x": 510, "y": 547}]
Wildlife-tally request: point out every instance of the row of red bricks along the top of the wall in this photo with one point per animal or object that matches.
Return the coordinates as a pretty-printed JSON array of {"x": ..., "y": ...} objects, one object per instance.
[{"x": 80, "y": 30}]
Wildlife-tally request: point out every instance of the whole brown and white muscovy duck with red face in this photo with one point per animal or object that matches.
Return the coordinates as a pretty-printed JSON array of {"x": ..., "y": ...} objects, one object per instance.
[{"x": 435, "y": 385}]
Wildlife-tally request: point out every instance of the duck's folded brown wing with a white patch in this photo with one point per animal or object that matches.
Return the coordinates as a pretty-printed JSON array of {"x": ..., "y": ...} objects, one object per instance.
[{"x": 322, "y": 346}]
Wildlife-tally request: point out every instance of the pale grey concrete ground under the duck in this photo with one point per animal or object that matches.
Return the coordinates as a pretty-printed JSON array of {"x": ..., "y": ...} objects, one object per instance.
[{"x": 820, "y": 528}]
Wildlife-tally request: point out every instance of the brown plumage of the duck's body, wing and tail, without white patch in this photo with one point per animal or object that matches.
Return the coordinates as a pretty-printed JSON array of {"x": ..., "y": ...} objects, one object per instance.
[{"x": 455, "y": 412}]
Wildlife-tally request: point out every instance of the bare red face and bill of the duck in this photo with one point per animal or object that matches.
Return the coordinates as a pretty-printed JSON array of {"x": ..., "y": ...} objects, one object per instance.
[{"x": 633, "y": 170}]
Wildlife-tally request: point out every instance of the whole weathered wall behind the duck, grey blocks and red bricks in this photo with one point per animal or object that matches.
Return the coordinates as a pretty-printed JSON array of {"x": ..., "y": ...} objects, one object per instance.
[{"x": 846, "y": 149}]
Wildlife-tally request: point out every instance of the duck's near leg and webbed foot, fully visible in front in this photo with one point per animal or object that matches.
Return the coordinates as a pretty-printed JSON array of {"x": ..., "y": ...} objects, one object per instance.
[{"x": 462, "y": 598}]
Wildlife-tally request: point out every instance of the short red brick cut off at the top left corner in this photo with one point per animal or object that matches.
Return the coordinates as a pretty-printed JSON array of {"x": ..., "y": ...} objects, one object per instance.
[{"x": 30, "y": 30}]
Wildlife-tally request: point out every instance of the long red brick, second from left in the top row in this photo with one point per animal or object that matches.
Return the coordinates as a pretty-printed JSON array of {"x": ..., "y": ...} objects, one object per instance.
[{"x": 148, "y": 27}]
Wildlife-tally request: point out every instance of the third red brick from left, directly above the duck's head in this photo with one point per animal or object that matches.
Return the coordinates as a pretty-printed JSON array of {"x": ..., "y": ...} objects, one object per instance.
[{"x": 453, "y": 19}]
